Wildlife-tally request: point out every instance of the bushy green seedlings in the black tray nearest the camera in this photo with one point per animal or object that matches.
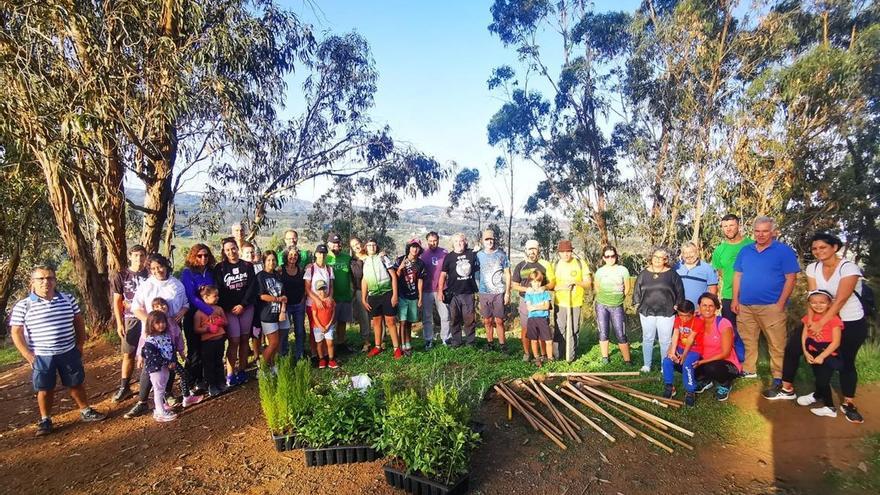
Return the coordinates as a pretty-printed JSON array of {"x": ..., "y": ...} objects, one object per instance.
[{"x": 430, "y": 436}]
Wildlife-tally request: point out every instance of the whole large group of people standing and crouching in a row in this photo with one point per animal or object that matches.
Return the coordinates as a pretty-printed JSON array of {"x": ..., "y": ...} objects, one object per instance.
[{"x": 220, "y": 317}]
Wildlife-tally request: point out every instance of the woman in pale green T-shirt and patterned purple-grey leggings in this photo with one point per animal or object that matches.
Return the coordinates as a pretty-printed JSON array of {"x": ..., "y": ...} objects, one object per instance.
[{"x": 612, "y": 285}]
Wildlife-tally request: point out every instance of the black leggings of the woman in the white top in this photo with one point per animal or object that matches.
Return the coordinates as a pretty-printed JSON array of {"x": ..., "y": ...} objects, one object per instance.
[{"x": 852, "y": 337}]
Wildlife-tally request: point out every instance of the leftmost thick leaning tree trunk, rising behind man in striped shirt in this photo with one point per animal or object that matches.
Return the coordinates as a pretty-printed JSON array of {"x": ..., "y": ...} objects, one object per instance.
[{"x": 93, "y": 285}]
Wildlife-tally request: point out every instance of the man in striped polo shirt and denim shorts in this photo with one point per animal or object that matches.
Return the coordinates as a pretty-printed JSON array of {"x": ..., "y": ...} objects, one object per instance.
[{"x": 49, "y": 332}]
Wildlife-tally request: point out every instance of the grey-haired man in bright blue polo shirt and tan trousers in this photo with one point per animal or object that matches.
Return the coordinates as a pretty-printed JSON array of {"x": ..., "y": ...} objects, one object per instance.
[{"x": 764, "y": 276}]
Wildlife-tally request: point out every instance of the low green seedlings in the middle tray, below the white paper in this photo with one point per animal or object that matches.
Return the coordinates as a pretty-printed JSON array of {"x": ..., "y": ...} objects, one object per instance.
[{"x": 343, "y": 417}]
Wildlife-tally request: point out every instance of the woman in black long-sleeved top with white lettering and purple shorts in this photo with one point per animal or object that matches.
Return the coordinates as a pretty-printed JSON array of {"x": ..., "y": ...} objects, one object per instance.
[{"x": 237, "y": 284}]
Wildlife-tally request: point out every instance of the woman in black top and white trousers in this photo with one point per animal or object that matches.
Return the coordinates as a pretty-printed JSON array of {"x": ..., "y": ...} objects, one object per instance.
[{"x": 657, "y": 293}]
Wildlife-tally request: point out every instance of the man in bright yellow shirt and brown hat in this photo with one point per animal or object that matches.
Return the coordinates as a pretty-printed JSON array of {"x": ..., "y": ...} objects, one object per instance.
[{"x": 572, "y": 277}]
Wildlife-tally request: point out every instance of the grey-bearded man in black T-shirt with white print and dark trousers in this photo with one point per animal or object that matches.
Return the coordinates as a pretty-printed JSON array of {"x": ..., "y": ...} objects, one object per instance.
[{"x": 459, "y": 284}]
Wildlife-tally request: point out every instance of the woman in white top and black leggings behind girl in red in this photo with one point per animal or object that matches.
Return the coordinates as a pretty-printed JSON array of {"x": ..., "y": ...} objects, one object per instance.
[{"x": 843, "y": 280}]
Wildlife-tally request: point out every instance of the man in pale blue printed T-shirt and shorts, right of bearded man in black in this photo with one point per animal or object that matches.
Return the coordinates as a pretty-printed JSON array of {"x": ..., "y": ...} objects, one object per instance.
[{"x": 494, "y": 285}]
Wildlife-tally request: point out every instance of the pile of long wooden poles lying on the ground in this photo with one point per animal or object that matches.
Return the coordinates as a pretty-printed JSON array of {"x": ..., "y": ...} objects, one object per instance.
[{"x": 591, "y": 390}]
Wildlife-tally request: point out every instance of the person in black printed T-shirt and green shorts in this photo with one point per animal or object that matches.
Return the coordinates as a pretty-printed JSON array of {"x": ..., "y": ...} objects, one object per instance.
[{"x": 410, "y": 282}]
